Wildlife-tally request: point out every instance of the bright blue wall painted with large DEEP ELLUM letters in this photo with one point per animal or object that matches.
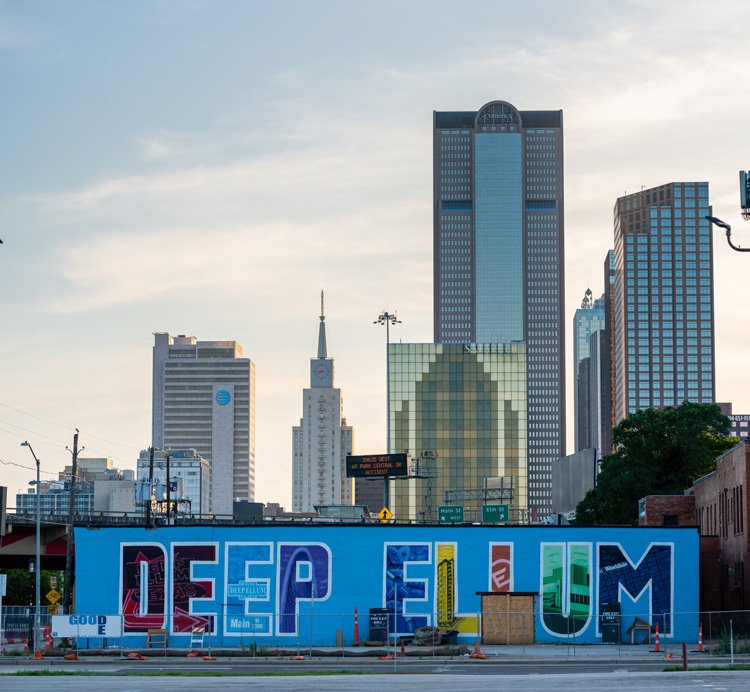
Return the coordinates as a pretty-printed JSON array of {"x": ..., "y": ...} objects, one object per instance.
[{"x": 282, "y": 584}]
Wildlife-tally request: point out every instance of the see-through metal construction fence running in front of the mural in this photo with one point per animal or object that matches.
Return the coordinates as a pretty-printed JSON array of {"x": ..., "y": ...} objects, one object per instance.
[{"x": 311, "y": 631}]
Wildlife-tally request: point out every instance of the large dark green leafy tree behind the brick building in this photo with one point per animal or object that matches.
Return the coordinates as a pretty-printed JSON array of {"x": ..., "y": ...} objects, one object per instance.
[{"x": 658, "y": 452}]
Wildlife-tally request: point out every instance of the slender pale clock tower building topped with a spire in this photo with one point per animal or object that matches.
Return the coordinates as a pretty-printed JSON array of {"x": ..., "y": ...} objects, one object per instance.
[{"x": 322, "y": 439}]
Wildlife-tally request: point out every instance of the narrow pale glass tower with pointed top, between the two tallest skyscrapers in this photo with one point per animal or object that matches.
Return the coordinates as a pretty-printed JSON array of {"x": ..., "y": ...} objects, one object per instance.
[{"x": 588, "y": 320}]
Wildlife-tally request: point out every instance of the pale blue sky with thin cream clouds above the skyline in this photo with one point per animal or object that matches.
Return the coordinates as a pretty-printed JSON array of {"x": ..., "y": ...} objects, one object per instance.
[{"x": 207, "y": 168}]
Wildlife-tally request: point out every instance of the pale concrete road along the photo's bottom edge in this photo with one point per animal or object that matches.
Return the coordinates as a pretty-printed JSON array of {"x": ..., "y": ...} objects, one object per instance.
[{"x": 729, "y": 681}]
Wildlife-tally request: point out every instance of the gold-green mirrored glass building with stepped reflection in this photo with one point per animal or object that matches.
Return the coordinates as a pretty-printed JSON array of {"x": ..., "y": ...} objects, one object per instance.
[{"x": 460, "y": 410}]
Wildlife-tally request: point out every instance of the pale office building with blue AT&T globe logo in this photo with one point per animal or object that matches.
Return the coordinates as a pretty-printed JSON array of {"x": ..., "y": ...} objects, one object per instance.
[{"x": 204, "y": 399}]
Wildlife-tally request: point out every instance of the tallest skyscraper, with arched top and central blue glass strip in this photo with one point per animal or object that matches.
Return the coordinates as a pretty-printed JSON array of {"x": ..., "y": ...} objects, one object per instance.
[{"x": 498, "y": 255}]
